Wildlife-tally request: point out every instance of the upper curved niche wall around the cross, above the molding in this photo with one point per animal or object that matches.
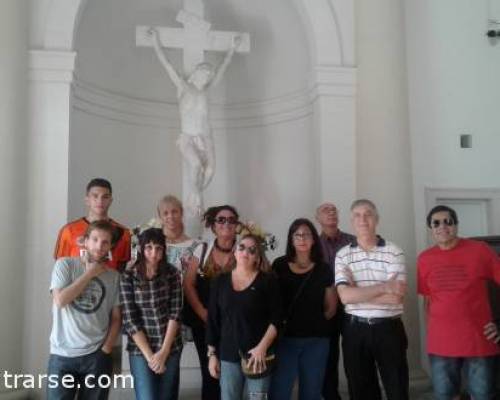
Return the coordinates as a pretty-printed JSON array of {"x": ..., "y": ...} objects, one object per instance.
[{"x": 277, "y": 65}]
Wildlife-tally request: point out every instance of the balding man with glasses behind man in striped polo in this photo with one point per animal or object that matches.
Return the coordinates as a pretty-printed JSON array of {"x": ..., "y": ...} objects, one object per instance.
[{"x": 332, "y": 240}]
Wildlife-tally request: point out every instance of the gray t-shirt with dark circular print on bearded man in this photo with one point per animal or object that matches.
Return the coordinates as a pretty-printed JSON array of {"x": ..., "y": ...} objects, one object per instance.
[{"x": 80, "y": 327}]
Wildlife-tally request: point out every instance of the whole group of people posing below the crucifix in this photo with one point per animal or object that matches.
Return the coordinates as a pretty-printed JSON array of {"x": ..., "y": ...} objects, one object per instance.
[{"x": 258, "y": 328}]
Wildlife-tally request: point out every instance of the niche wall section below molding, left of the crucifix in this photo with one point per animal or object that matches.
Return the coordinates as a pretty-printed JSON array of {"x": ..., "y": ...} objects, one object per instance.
[{"x": 142, "y": 163}]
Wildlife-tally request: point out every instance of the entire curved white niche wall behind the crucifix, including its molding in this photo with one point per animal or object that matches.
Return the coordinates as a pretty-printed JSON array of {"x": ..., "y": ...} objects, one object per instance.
[{"x": 122, "y": 95}]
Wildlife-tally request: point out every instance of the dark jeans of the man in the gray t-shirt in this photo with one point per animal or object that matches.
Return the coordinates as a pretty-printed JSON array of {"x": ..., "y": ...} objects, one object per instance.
[{"x": 80, "y": 374}]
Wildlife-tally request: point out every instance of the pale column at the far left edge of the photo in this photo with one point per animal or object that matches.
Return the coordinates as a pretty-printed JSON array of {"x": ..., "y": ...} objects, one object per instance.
[{"x": 13, "y": 132}]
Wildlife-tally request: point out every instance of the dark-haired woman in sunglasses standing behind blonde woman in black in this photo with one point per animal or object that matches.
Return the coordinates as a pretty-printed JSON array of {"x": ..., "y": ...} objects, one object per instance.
[{"x": 216, "y": 258}]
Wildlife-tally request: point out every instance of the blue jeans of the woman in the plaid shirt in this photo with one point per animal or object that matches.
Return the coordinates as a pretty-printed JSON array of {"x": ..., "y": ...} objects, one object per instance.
[{"x": 149, "y": 385}]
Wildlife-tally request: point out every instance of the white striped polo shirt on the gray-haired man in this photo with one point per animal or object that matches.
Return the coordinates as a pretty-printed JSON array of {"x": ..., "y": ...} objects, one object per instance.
[{"x": 367, "y": 268}]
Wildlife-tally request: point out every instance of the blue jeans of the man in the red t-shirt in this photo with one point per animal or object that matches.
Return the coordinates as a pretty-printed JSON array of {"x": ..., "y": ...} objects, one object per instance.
[{"x": 447, "y": 372}]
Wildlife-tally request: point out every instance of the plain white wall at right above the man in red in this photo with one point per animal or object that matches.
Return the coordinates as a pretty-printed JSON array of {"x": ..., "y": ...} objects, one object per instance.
[{"x": 453, "y": 87}]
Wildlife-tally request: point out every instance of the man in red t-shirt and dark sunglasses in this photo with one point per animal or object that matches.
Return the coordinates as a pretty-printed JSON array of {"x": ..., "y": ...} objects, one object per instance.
[{"x": 452, "y": 278}]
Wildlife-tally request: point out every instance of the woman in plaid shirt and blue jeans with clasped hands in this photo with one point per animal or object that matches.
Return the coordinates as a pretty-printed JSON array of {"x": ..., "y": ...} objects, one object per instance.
[{"x": 151, "y": 301}]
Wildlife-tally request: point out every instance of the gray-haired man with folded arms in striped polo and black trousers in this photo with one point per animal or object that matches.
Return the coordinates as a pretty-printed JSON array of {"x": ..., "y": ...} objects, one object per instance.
[{"x": 370, "y": 277}]
